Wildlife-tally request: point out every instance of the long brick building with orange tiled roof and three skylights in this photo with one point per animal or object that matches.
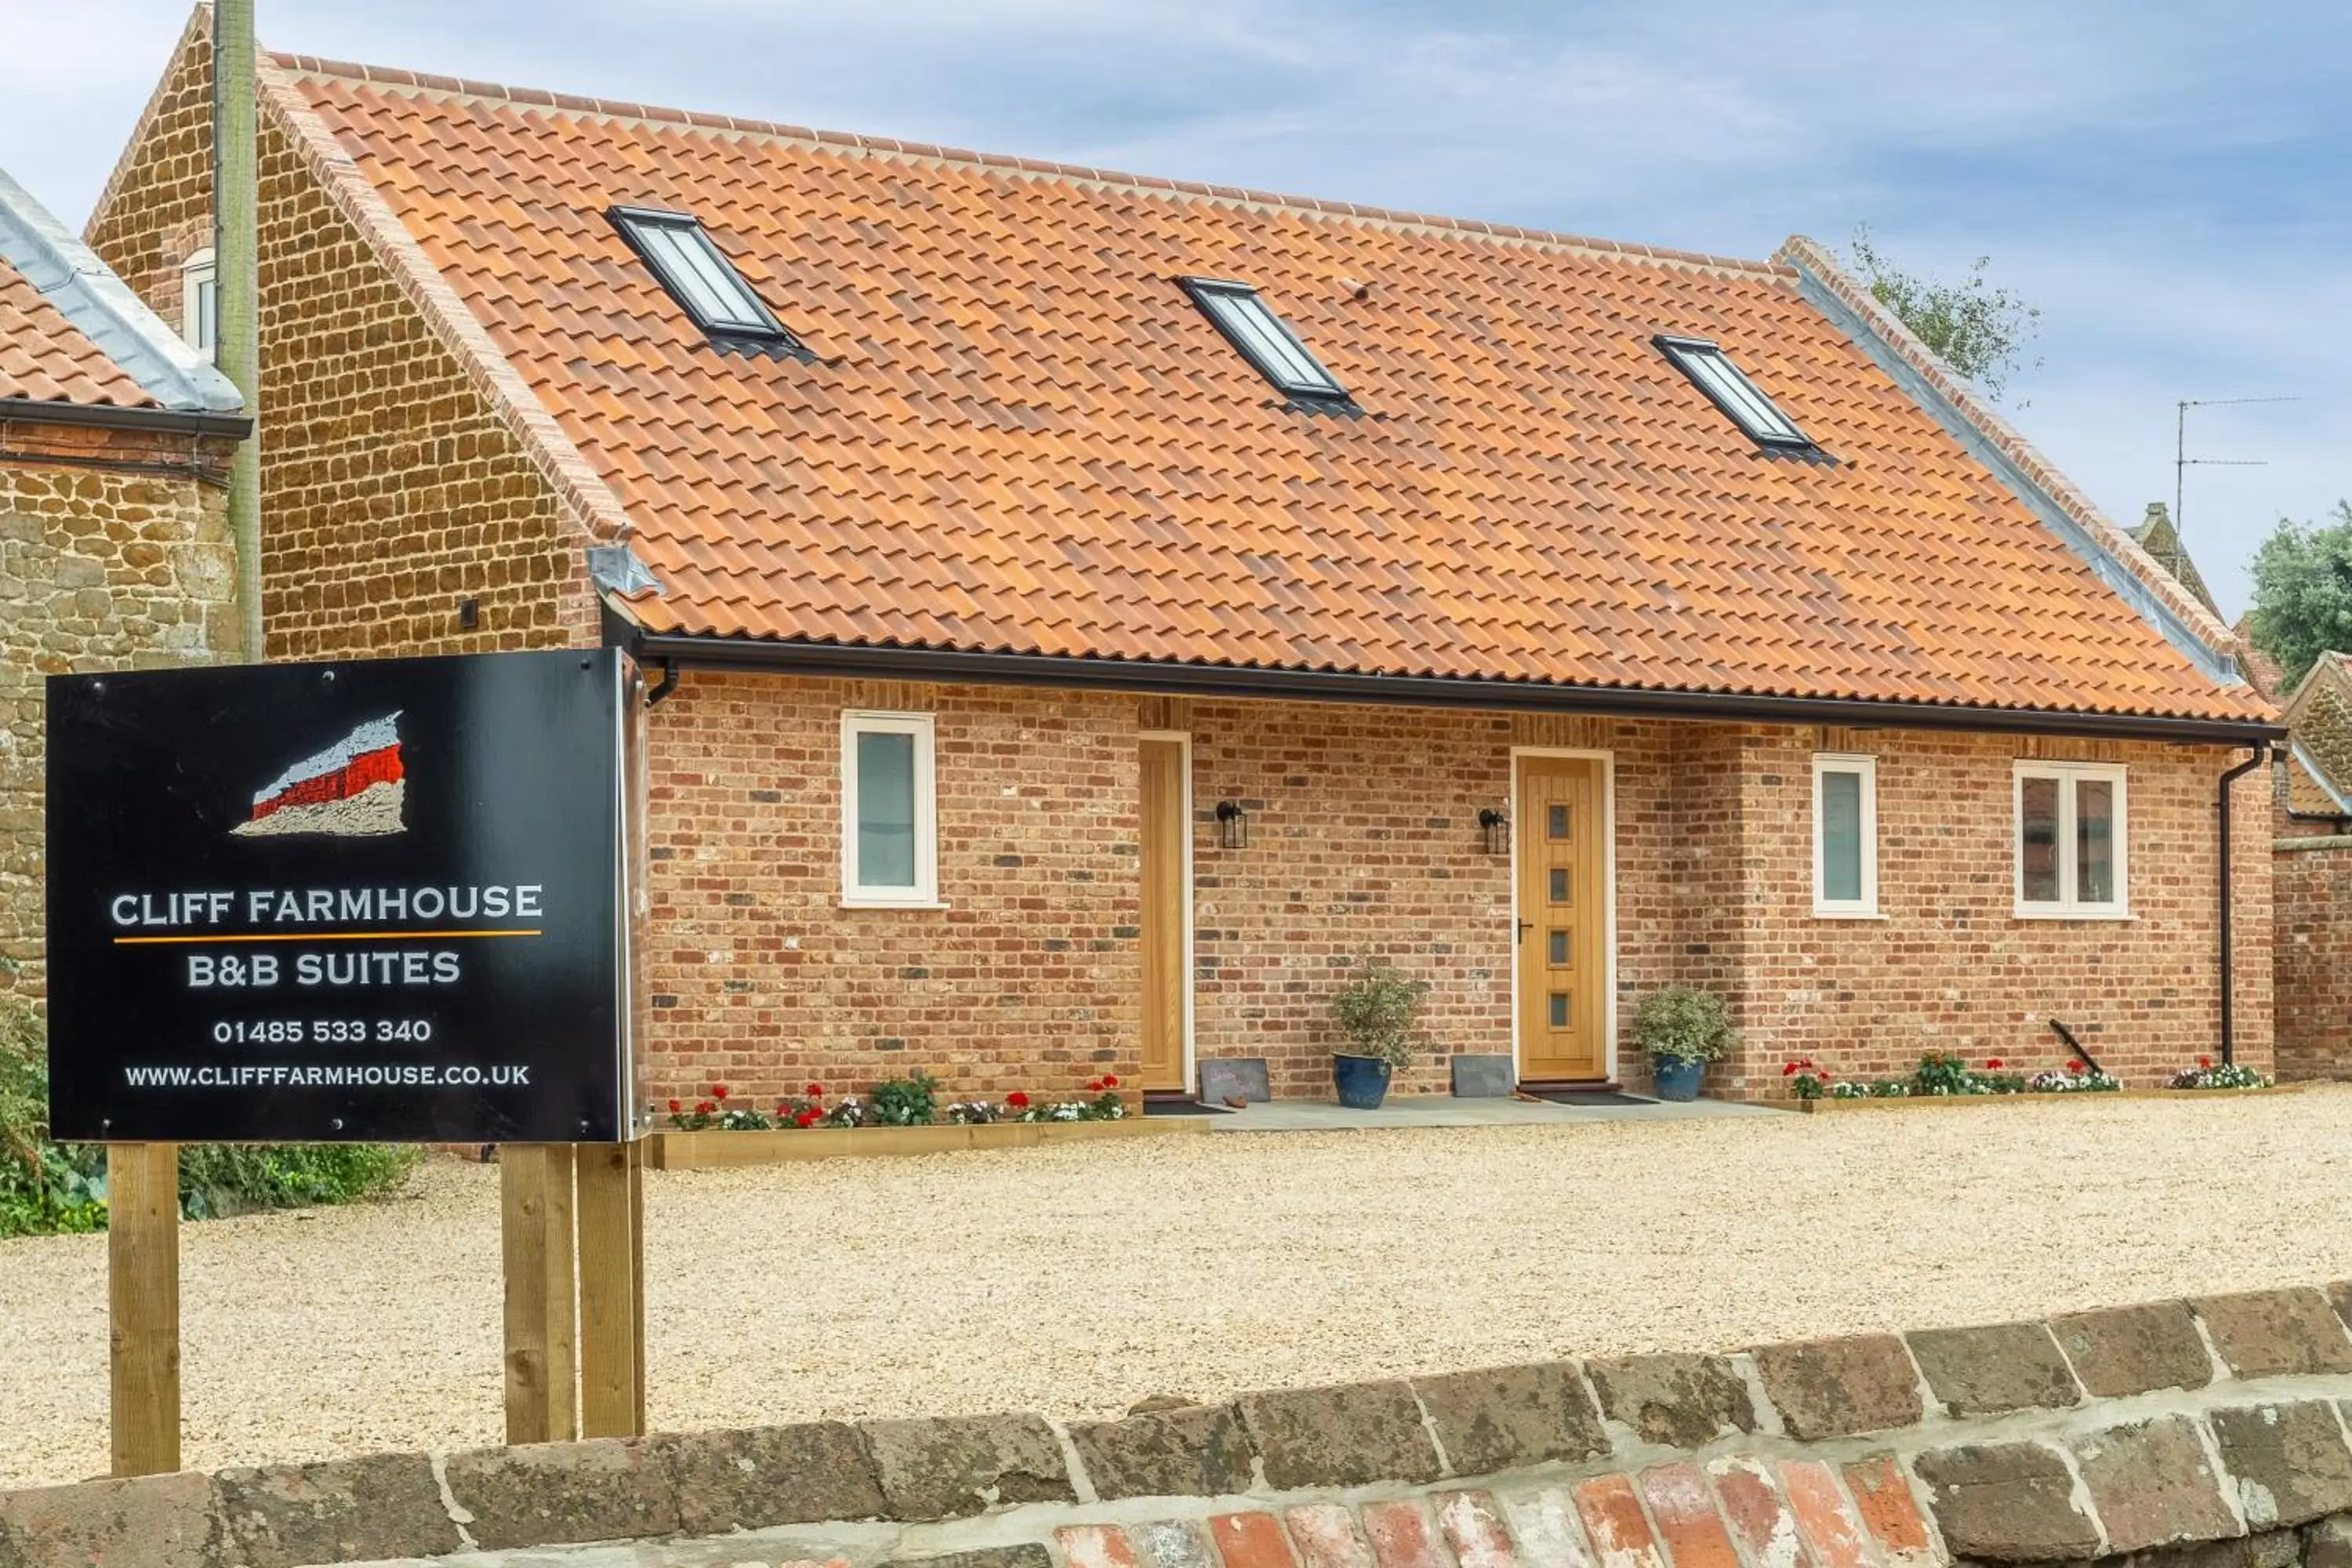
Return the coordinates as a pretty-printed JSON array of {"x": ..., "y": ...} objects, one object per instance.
[{"x": 1088, "y": 612}]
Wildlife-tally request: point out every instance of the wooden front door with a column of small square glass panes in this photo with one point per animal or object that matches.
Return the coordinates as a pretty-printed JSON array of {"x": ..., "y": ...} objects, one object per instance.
[{"x": 1563, "y": 920}]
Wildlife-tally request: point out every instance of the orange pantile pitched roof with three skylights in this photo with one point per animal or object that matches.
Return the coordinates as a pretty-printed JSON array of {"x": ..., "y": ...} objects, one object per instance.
[{"x": 1020, "y": 436}]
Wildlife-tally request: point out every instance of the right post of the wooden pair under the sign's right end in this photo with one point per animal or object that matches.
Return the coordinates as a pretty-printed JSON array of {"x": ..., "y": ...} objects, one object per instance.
[{"x": 613, "y": 1289}]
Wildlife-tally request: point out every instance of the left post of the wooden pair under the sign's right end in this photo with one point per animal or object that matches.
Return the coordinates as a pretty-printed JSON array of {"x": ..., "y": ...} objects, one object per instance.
[{"x": 542, "y": 1334}]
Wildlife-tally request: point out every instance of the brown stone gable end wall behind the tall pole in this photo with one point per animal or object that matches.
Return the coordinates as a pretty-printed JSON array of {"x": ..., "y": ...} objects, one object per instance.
[{"x": 392, "y": 490}]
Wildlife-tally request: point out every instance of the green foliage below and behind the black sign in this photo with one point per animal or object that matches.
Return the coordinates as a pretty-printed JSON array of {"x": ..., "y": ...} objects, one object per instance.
[{"x": 48, "y": 1188}]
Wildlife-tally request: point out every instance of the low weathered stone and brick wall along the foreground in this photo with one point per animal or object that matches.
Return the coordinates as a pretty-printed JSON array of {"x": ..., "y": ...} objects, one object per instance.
[{"x": 2193, "y": 1435}]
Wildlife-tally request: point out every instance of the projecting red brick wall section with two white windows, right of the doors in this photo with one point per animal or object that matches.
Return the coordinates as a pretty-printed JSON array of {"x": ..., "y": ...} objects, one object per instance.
[{"x": 1951, "y": 970}]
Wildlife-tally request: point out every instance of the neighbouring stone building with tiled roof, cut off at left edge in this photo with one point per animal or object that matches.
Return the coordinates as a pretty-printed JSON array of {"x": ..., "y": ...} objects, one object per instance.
[{"x": 114, "y": 544}]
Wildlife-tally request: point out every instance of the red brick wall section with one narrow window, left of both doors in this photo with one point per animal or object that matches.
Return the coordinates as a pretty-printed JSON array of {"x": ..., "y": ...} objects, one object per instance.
[{"x": 1029, "y": 979}]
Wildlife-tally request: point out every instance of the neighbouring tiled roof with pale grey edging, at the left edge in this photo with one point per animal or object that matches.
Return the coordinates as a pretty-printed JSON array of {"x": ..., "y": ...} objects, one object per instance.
[{"x": 72, "y": 333}]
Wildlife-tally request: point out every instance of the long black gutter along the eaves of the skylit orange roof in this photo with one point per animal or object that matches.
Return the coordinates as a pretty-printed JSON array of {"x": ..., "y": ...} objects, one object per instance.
[{"x": 836, "y": 659}]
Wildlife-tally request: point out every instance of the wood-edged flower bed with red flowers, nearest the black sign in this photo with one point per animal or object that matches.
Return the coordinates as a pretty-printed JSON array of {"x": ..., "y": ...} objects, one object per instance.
[{"x": 895, "y": 1118}]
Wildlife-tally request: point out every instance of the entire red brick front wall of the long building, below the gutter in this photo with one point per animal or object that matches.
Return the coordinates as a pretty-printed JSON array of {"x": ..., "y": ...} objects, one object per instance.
[{"x": 1363, "y": 838}]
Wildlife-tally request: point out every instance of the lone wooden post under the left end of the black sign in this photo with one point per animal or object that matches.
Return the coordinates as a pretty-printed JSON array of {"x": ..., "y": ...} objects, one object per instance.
[{"x": 142, "y": 1299}]
